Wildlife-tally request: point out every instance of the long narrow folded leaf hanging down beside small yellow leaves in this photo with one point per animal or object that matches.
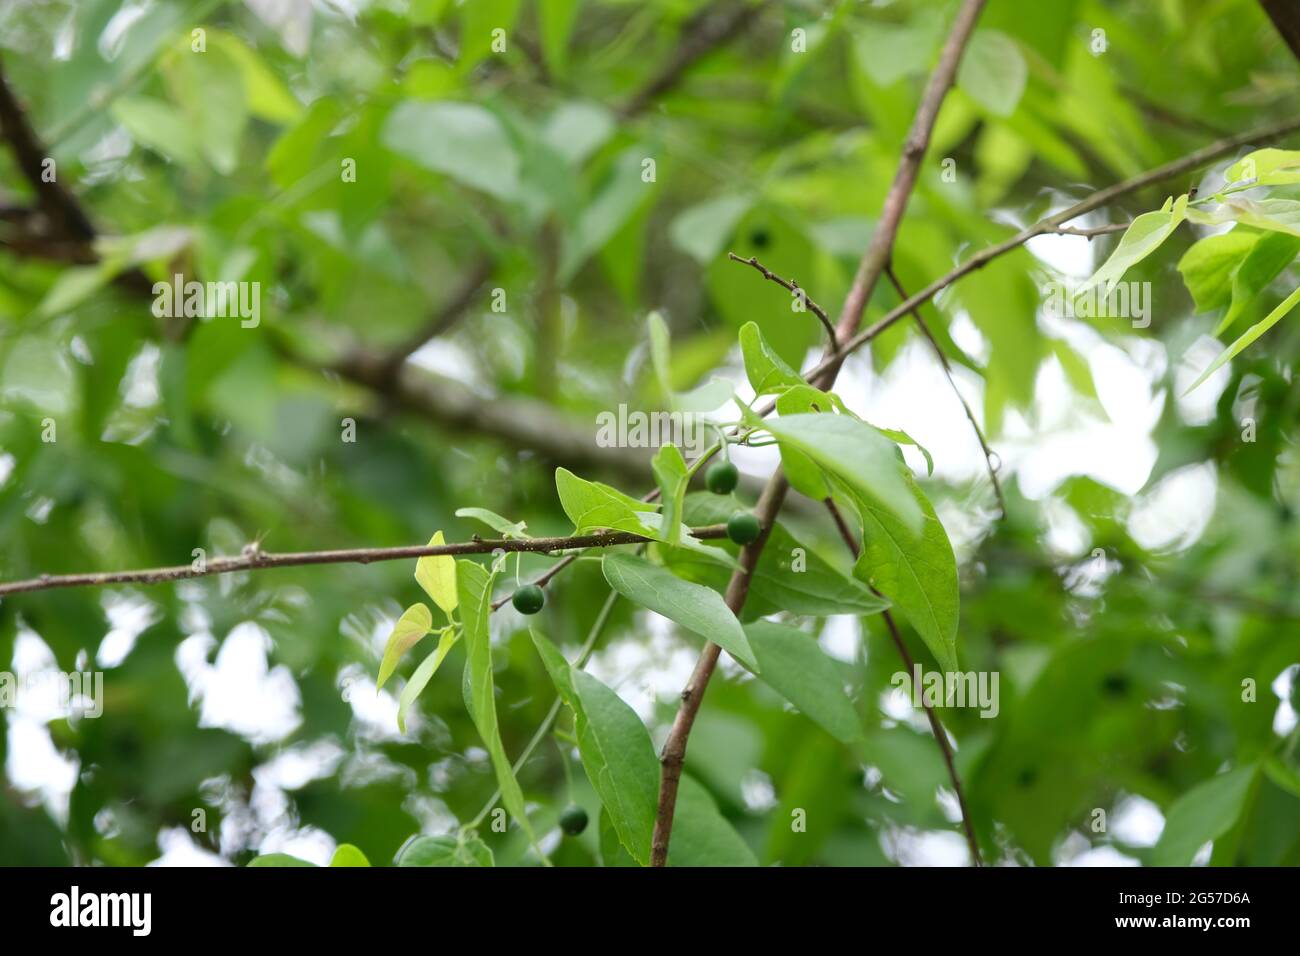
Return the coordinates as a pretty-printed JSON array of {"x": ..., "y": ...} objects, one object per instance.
[{"x": 475, "y": 591}]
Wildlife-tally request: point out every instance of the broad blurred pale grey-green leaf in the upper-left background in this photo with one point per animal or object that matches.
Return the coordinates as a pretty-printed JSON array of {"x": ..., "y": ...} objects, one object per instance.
[{"x": 463, "y": 141}]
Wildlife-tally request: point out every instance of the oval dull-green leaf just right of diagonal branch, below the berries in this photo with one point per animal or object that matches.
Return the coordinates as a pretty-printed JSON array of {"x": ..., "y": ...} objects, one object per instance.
[{"x": 795, "y": 667}]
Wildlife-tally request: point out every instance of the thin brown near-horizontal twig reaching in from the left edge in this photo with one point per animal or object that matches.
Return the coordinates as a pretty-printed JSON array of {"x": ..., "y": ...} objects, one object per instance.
[{"x": 257, "y": 560}]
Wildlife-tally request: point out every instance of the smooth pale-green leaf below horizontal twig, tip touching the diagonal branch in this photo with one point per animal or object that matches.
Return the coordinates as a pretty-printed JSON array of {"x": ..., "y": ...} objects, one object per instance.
[{"x": 696, "y": 608}]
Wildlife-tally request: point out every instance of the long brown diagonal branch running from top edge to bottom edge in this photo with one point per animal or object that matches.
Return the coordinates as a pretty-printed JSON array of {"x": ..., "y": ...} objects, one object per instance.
[{"x": 873, "y": 262}]
